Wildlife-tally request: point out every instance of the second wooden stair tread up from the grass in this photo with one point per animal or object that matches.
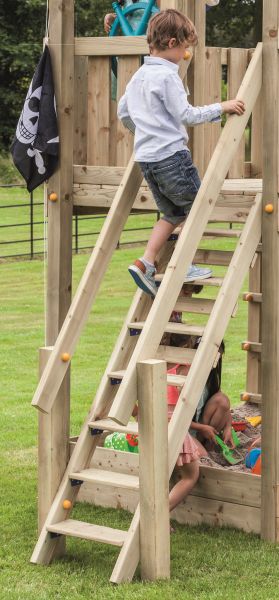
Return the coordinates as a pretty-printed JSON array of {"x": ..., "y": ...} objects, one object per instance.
[{"x": 102, "y": 477}]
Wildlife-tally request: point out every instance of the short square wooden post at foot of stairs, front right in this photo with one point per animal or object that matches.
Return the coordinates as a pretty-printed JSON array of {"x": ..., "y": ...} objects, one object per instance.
[{"x": 153, "y": 470}]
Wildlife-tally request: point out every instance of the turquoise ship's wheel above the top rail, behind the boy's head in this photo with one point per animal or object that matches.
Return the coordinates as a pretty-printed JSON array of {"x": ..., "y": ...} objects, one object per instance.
[{"x": 121, "y": 22}]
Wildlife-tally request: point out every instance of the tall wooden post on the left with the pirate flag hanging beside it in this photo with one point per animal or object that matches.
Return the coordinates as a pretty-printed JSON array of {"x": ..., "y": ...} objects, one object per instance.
[{"x": 59, "y": 275}]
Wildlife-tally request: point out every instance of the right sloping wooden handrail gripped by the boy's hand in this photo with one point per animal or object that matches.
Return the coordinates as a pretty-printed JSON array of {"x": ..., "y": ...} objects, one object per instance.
[{"x": 190, "y": 237}]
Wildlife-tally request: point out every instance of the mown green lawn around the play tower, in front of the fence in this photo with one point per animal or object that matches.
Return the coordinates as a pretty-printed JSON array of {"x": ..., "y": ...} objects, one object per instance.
[{"x": 206, "y": 563}]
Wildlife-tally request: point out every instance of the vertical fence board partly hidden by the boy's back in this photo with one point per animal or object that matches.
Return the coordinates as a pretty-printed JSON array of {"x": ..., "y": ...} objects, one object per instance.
[{"x": 125, "y": 139}]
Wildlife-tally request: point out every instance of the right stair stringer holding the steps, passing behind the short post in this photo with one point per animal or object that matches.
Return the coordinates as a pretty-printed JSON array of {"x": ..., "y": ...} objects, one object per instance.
[{"x": 199, "y": 370}]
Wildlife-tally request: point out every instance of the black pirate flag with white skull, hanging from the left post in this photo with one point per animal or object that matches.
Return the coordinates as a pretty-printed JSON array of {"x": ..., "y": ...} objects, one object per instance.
[{"x": 36, "y": 142}]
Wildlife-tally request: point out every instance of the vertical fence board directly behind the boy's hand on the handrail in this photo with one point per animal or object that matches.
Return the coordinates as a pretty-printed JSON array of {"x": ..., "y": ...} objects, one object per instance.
[{"x": 237, "y": 65}]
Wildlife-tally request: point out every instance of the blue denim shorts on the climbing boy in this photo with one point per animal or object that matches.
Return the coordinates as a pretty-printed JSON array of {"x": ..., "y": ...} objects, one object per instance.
[{"x": 174, "y": 183}]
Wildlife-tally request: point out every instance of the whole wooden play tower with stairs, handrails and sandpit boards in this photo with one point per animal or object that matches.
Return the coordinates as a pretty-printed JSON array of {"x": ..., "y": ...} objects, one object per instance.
[{"x": 94, "y": 177}]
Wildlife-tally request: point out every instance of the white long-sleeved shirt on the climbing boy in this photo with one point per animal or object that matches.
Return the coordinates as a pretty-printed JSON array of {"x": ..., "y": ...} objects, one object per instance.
[{"x": 156, "y": 108}]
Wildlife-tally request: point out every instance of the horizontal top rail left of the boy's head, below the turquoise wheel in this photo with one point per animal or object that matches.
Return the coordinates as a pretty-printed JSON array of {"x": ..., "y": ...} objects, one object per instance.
[{"x": 115, "y": 46}]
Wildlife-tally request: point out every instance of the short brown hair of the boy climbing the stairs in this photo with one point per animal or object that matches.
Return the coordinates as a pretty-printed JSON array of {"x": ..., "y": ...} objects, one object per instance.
[{"x": 169, "y": 24}]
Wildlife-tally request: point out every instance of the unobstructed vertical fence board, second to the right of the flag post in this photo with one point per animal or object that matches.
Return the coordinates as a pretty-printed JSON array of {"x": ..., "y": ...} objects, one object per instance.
[{"x": 98, "y": 110}]
